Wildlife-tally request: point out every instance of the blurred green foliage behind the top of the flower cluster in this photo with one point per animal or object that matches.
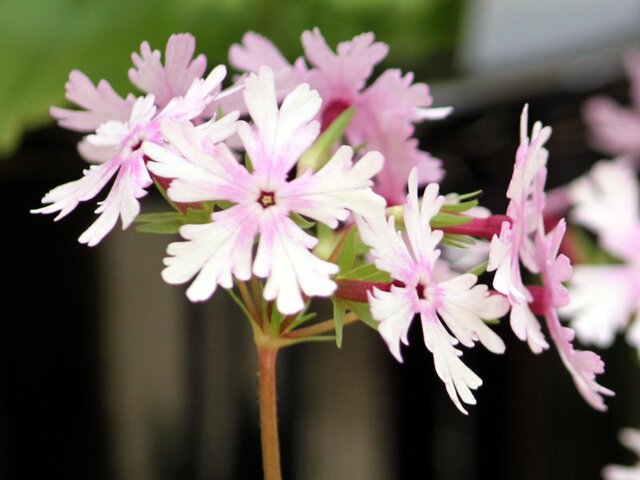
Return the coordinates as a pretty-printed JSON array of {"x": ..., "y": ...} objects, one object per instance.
[{"x": 42, "y": 41}]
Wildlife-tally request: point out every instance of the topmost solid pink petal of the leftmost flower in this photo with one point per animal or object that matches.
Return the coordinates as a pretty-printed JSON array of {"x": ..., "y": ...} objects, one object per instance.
[{"x": 172, "y": 79}]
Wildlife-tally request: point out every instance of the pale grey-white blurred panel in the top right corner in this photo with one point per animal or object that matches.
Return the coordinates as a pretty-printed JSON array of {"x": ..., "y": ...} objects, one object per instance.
[{"x": 502, "y": 34}]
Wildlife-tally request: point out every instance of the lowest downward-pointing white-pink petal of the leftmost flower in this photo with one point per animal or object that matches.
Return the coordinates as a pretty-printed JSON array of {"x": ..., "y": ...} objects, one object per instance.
[{"x": 122, "y": 200}]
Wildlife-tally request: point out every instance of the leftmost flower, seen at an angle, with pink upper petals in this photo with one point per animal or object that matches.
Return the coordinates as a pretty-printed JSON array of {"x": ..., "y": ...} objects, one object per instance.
[{"x": 122, "y": 125}]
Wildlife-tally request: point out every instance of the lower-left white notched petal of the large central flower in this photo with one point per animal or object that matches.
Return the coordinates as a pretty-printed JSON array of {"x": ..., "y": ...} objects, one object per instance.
[{"x": 215, "y": 252}]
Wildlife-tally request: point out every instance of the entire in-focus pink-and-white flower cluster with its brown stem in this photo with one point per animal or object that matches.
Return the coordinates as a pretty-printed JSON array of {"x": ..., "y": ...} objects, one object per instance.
[{"x": 289, "y": 186}]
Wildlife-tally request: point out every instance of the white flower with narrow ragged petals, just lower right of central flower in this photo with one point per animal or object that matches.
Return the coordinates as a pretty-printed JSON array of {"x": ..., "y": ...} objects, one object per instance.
[{"x": 458, "y": 302}]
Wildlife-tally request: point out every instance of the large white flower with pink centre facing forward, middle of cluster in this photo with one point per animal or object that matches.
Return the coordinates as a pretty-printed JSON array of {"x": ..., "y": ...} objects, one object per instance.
[{"x": 263, "y": 199}]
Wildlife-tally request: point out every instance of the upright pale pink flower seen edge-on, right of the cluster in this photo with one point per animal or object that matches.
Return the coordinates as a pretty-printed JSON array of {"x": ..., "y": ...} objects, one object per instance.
[{"x": 516, "y": 240}]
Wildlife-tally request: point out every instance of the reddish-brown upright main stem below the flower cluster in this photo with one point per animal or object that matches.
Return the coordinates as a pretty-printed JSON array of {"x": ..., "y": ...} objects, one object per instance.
[{"x": 268, "y": 412}]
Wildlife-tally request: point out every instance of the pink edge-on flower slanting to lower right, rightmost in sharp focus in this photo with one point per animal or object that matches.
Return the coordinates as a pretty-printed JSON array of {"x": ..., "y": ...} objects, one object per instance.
[{"x": 555, "y": 269}]
